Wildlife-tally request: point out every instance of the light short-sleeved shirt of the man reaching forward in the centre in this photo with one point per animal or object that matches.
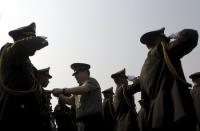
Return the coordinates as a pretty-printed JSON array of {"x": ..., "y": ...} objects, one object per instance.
[{"x": 91, "y": 102}]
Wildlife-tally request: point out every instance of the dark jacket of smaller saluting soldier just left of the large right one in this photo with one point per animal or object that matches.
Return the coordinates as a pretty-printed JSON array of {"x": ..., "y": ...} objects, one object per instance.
[{"x": 125, "y": 113}]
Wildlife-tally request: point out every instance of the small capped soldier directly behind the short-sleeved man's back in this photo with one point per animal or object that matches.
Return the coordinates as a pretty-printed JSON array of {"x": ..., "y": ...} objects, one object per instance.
[{"x": 108, "y": 110}]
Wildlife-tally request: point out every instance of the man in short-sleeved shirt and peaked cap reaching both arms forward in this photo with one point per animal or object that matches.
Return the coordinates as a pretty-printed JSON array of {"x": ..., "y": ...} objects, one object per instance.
[{"x": 86, "y": 98}]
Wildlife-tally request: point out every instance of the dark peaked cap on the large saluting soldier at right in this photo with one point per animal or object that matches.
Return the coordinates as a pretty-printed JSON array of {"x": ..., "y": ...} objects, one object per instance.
[{"x": 149, "y": 36}]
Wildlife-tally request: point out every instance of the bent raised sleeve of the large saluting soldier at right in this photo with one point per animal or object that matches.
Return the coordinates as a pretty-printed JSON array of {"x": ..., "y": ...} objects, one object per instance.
[{"x": 184, "y": 44}]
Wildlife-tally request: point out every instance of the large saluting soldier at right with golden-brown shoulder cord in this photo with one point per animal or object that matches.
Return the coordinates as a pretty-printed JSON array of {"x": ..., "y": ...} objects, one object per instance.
[{"x": 165, "y": 92}]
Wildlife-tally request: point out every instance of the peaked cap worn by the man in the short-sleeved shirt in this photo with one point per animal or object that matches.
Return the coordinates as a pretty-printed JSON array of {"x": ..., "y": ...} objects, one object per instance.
[{"x": 79, "y": 67}]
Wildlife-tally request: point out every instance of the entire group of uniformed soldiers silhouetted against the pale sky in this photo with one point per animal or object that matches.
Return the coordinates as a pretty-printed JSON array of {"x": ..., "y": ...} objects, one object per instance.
[{"x": 166, "y": 101}]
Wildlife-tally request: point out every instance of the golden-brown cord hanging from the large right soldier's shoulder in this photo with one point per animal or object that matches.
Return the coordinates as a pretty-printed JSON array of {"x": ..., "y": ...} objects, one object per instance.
[{"x": 170, "y": 66}]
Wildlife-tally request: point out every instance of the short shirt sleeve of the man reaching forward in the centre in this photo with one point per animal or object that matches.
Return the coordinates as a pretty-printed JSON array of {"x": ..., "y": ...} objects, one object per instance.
[{"x": 92, "y": 84}]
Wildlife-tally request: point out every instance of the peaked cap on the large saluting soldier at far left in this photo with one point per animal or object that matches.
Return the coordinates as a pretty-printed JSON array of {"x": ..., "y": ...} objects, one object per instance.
[{"x": 23, "y": 32}]
